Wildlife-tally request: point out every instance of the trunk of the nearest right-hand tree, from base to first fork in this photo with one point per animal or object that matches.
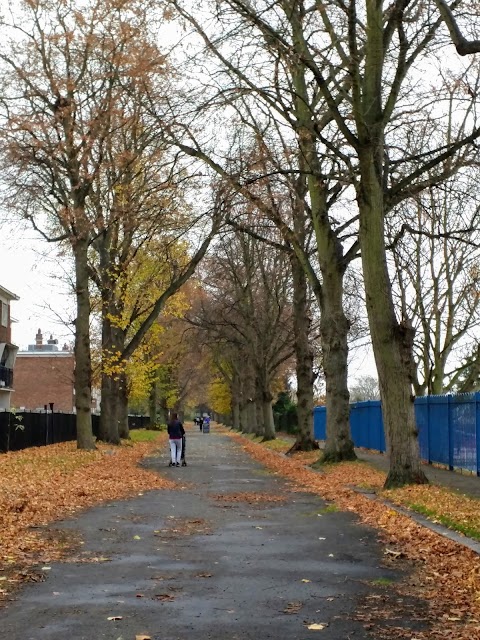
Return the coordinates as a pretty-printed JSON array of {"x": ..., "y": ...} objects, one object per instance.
[{"x": 392, "y": 342}]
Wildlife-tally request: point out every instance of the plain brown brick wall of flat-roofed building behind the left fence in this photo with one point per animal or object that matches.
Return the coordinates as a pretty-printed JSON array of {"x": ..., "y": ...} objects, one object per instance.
[{"x": 43, "y": 378}]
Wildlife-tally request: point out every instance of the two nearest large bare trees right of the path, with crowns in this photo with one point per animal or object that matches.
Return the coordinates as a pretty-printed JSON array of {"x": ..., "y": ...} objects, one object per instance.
[{"x": 319, "y": 103}]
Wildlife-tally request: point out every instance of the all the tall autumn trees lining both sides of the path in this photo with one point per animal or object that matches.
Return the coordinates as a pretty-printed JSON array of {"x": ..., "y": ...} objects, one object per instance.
[{"x": 323, "y": 136}]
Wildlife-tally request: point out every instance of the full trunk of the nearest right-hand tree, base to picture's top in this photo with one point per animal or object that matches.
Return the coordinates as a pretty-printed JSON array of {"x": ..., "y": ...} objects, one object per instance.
[{"x": 392, "y": 342}]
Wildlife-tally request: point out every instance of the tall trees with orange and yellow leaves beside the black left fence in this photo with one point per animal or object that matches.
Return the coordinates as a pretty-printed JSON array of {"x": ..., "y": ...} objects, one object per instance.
[{"x": 83, "y": 162}]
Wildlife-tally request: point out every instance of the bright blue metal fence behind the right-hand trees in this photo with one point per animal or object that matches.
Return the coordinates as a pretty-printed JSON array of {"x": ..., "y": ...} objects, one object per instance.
[{"x": 448, "y": 427}]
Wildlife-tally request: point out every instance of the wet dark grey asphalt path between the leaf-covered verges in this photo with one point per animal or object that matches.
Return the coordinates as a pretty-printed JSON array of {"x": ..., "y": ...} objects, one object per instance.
[{"x": 190, "y": 563}]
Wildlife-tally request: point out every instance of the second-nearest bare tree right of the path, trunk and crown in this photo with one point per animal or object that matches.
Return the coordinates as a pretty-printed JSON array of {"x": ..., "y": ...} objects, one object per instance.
[{"x": 279, "y": 109}]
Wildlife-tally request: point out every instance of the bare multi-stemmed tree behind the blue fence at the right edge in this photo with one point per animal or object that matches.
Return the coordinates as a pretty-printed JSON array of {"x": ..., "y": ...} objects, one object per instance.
[{"x": 434, "y": 242}]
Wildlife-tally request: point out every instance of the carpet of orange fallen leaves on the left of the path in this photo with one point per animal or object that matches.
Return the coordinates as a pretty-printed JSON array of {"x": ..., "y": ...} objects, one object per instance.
[{"x": 43, "y": 484}]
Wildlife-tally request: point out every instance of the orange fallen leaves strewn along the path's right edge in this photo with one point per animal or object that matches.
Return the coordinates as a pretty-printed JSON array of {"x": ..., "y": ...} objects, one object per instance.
[{"x": 447, "y": 574}]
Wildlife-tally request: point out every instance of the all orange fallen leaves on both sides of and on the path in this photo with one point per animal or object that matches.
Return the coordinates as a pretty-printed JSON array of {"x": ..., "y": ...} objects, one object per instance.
[{"x": 447, "y": 574}]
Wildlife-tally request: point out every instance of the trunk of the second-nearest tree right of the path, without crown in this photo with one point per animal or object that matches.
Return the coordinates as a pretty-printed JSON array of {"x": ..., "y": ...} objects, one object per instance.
[{"x": 329, "y": 293}]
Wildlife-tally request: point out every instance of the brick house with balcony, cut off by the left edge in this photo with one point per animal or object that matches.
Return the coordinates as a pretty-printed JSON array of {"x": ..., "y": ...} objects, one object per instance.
[{"x": 8, "y": 351}]
